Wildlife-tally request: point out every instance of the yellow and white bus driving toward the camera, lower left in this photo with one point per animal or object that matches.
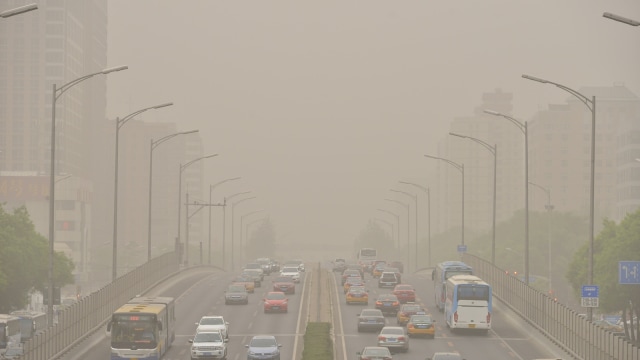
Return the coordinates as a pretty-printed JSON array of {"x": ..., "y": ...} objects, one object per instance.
[{"x": 143, "y": 328}]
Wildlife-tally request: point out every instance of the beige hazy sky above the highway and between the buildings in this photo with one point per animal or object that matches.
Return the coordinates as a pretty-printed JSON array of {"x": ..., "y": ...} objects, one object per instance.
[{"x": 322, "y": 106}]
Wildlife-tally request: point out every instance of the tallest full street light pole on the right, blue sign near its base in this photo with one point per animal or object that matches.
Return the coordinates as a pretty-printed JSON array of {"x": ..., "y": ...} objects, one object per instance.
[{"x": 591, "y": 105}]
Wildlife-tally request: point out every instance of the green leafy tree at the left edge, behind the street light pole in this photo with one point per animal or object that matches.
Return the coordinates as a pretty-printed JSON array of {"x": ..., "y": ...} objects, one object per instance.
[{"x": 24, "y": 260}]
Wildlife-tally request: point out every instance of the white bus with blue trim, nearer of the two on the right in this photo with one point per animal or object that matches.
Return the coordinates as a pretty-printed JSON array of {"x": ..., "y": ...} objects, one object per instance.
[{"x": 468, "y": 304}]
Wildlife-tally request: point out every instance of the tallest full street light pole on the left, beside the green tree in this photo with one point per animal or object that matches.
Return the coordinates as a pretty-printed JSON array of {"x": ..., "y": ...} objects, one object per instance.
[{"x": 56, "y": 93}]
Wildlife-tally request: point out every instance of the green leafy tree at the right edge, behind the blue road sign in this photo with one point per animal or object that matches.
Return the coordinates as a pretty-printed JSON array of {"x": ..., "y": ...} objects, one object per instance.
[{"x": 614, "y": 243}]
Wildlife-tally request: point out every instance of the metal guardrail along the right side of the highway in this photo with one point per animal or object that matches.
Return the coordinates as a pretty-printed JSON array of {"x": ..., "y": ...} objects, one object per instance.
[{"x": 580, "y": 338}]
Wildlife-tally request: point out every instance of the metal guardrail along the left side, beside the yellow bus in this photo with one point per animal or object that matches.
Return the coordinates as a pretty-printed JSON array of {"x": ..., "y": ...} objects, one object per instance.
[{"x": 90, "y": 313}]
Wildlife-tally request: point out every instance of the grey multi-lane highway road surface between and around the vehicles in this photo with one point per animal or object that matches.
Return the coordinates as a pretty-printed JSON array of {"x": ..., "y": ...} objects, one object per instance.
[{"x": 200, "y": 292}]
